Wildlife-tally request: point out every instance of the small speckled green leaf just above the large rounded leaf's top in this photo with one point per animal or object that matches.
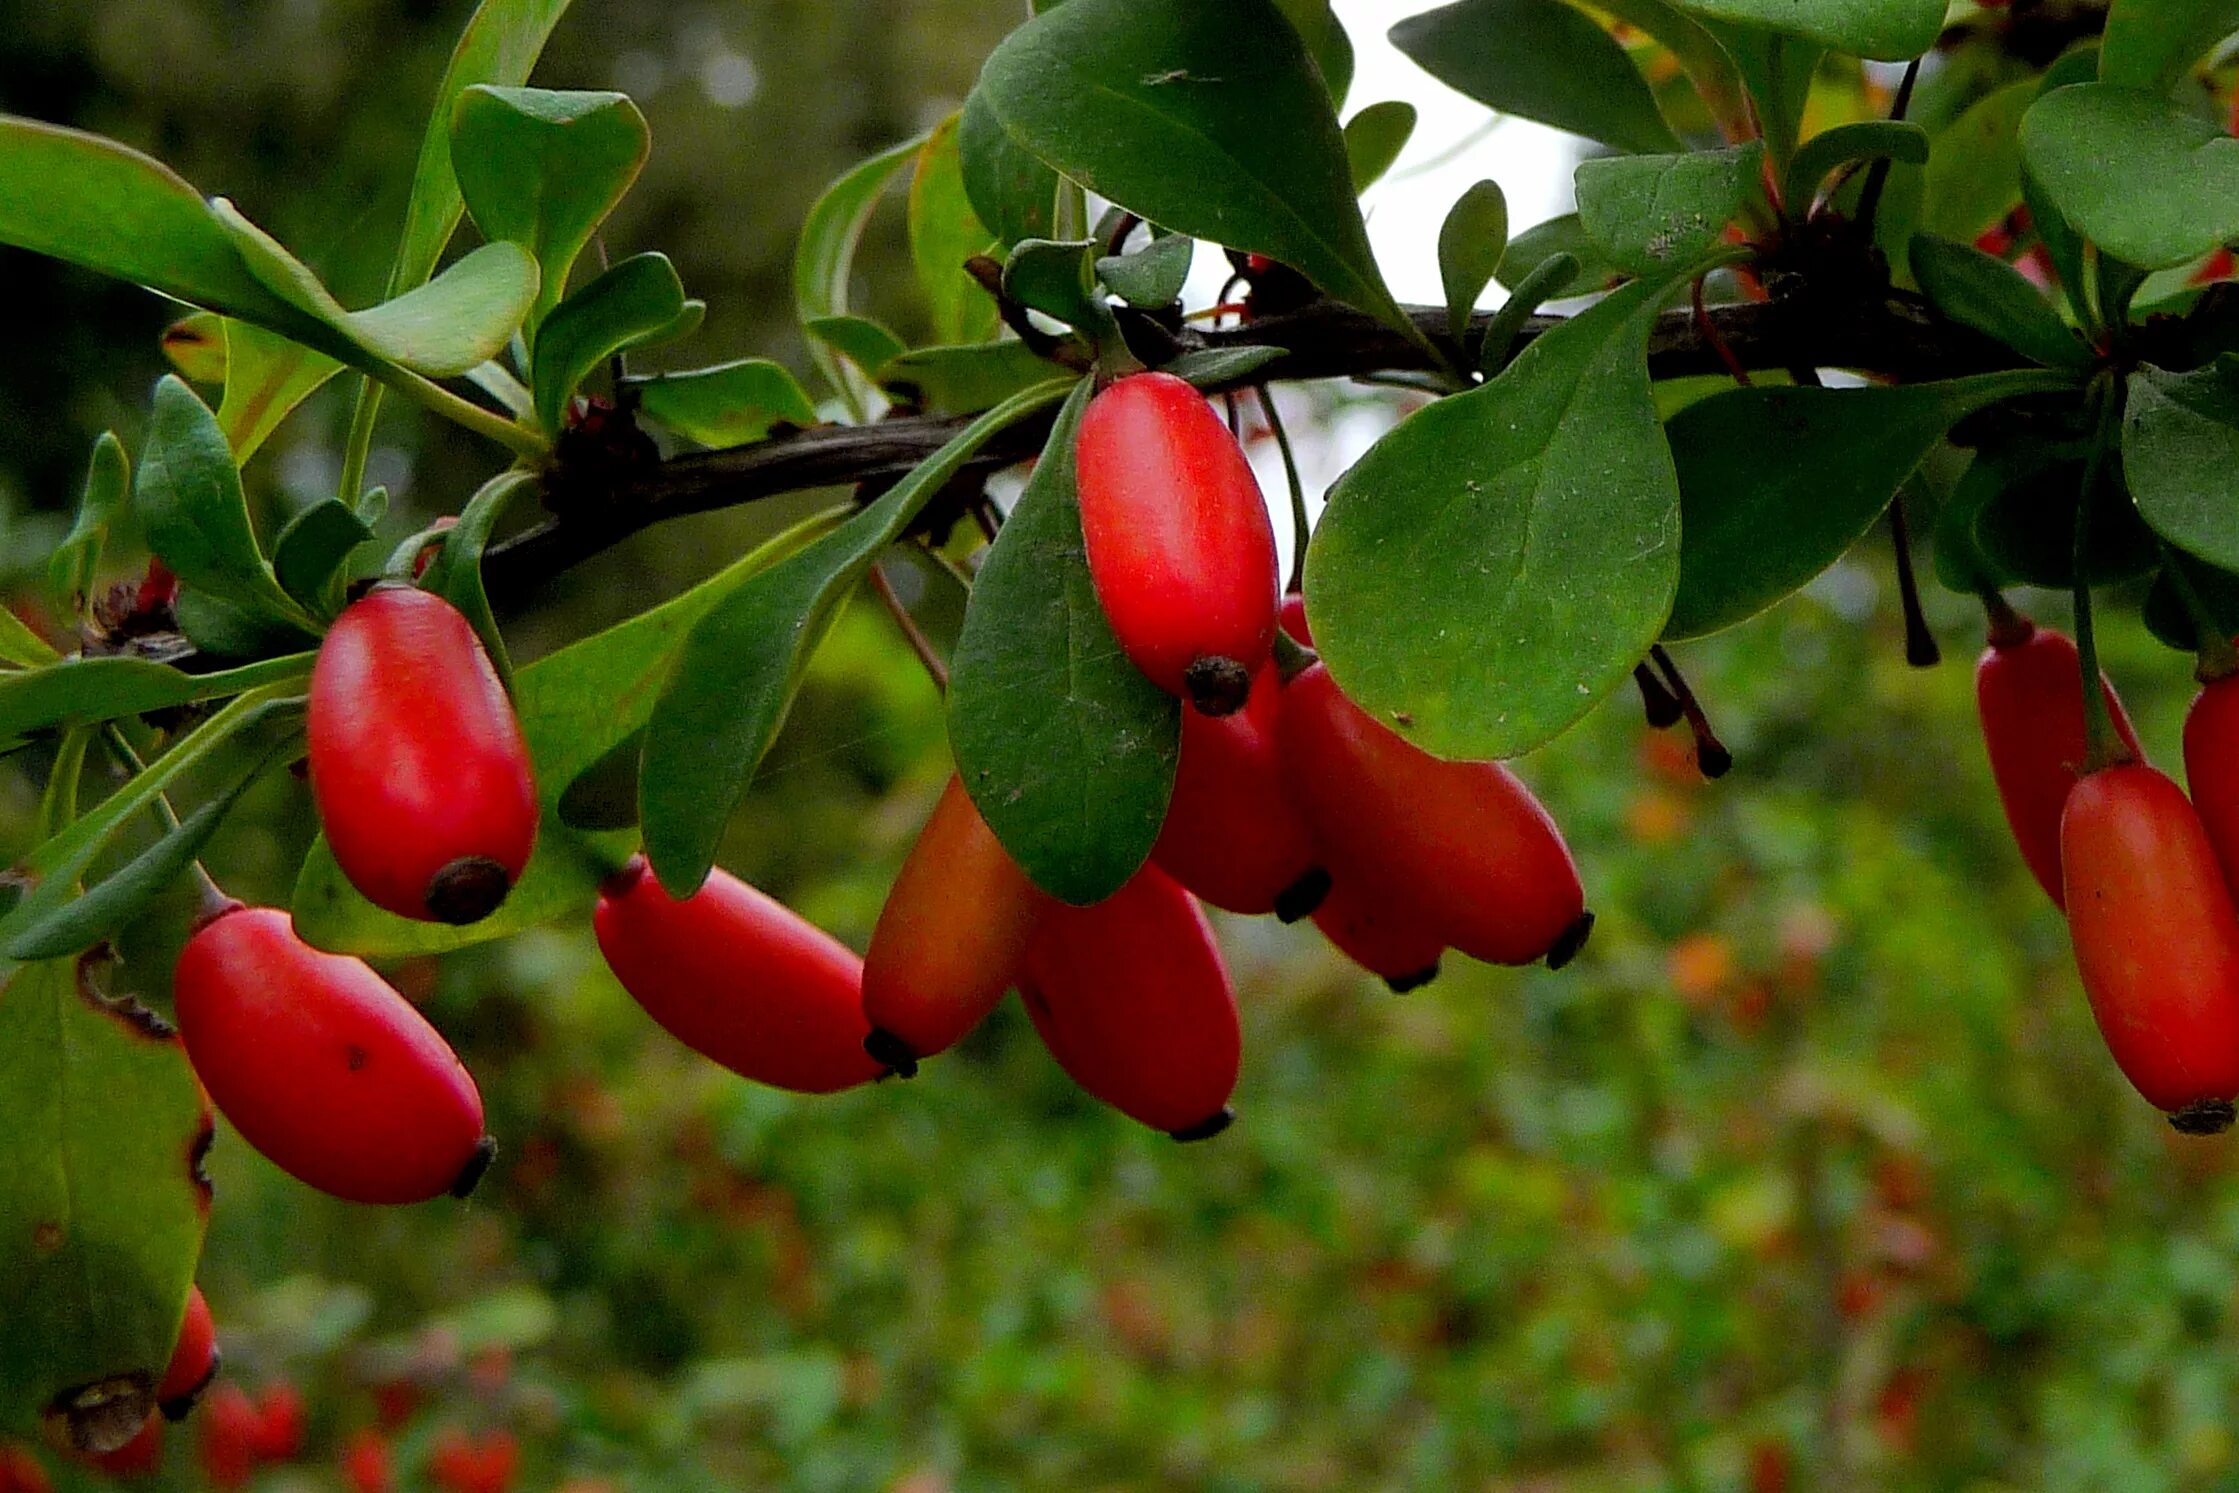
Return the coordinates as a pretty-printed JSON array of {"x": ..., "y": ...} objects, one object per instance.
[{"x": 1654, "y": 212}]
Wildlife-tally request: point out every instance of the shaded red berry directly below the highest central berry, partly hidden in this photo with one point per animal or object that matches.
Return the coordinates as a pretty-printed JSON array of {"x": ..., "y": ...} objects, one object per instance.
[{"x": 1233, "y": 834}]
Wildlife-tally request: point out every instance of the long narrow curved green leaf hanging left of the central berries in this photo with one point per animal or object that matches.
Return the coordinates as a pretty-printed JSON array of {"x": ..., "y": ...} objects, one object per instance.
[{"x": 736, "y": 675}]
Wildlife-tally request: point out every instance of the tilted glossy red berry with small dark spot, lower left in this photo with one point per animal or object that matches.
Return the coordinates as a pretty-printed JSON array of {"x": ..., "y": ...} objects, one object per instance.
[{"x": 324, "y": 1067}]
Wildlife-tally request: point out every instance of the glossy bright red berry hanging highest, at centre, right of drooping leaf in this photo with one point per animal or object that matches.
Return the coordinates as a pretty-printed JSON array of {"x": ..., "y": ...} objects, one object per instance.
[{"x": 1179, "y": 541}]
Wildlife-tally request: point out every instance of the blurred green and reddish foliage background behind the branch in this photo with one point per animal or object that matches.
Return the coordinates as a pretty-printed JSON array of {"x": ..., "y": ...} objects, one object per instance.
[{"x": 1808, "y": 1174}]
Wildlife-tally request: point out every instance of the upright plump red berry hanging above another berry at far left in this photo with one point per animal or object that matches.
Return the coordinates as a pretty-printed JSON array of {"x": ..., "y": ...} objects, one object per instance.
[{"x": 418, "y": 764}]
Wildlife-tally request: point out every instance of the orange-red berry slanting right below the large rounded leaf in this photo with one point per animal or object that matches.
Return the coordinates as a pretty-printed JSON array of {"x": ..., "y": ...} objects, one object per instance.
[{"x": 1461, "y": 843}]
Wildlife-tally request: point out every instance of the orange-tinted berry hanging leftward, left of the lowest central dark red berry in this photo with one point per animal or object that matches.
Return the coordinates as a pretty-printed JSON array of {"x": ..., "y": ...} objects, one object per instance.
[{"x": 950, "y": 937}]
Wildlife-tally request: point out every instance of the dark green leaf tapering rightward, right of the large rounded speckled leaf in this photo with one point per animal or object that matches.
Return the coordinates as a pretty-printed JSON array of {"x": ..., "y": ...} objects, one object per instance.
[{"x": 1756, "y": 529}]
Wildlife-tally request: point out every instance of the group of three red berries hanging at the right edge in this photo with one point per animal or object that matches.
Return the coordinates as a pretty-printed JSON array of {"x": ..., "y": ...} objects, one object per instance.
[{"x": 2144, "y": 874}]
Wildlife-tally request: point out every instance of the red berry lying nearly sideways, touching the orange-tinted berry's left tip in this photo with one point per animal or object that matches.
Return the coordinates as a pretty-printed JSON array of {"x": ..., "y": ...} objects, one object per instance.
[{"x": 740, "y": 979}]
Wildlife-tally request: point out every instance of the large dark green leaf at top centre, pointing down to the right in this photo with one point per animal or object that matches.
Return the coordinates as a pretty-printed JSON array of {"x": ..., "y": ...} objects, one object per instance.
[{"x": 1210, "y": 120}]
